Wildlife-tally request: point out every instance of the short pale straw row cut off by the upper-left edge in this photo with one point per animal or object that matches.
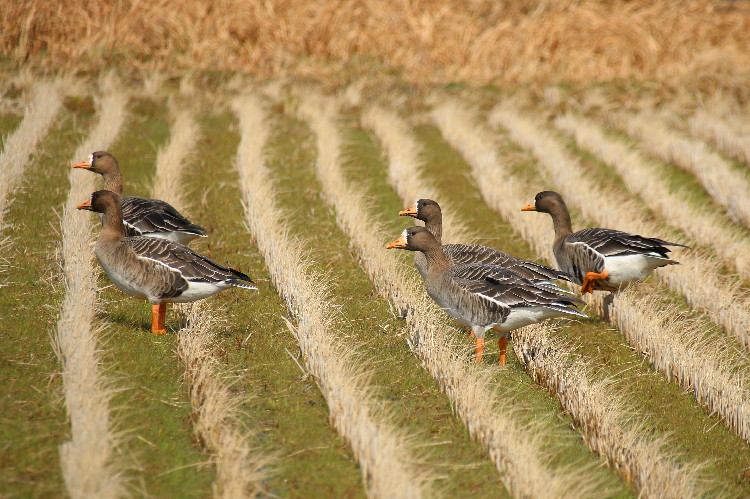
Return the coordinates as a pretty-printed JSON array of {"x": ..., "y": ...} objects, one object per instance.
[{"x": 45, "y": 101}]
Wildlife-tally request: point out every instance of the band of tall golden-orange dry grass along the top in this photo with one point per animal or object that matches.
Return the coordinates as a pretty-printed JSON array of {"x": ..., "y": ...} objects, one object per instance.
[{"x": 700, "y": 42}]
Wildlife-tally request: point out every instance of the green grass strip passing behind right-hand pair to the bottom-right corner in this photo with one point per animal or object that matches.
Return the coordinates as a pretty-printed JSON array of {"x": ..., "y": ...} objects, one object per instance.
[{"x": 663, "y": 407}]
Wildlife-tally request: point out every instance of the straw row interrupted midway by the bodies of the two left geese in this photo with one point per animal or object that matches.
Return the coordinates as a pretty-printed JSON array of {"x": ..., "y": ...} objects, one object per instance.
[{"x": 240, "y": 469}]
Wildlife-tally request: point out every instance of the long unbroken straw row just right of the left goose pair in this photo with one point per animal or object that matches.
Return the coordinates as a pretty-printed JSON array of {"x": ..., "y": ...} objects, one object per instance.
[{"x": 386, "y": 459}]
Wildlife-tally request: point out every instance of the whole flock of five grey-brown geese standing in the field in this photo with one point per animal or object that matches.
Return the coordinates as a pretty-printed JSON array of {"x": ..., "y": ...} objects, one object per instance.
[{"x": 142, "y": 248}]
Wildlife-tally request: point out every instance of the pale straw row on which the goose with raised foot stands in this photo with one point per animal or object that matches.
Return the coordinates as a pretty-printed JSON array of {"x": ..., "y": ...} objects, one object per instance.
[{"x": 505, "y": 193}]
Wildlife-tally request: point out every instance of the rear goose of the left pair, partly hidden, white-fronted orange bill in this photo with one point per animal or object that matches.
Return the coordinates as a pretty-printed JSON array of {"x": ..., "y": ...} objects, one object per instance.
[{"x": 142, "y": 216}]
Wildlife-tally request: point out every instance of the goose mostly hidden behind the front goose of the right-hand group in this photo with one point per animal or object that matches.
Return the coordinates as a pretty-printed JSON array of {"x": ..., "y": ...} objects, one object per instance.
[{"x": 430, "y": 213}]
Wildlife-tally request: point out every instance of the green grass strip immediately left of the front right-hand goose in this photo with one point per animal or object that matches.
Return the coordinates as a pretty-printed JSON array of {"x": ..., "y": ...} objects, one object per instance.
[{"x": 404, "y": 389}]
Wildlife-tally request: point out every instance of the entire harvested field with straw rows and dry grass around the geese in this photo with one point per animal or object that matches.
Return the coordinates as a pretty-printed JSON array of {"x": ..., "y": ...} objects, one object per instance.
[{"x": 339, "y": 376}]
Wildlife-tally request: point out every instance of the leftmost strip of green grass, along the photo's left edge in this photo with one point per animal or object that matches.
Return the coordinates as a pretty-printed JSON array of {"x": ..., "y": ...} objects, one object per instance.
[{"x": 33, "y": 421}]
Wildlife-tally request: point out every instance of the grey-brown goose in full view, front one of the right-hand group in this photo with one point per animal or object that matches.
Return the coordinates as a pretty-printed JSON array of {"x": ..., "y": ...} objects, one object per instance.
[{"x": 484, "y": 296}]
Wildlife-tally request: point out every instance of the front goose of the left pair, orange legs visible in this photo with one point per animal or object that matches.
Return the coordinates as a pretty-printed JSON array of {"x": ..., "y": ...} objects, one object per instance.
[{"x": 155, "y": 269}]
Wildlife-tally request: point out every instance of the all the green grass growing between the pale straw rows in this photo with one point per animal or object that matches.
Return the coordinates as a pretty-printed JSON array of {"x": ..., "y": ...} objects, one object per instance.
[{"x": 282, "y": 406}]
